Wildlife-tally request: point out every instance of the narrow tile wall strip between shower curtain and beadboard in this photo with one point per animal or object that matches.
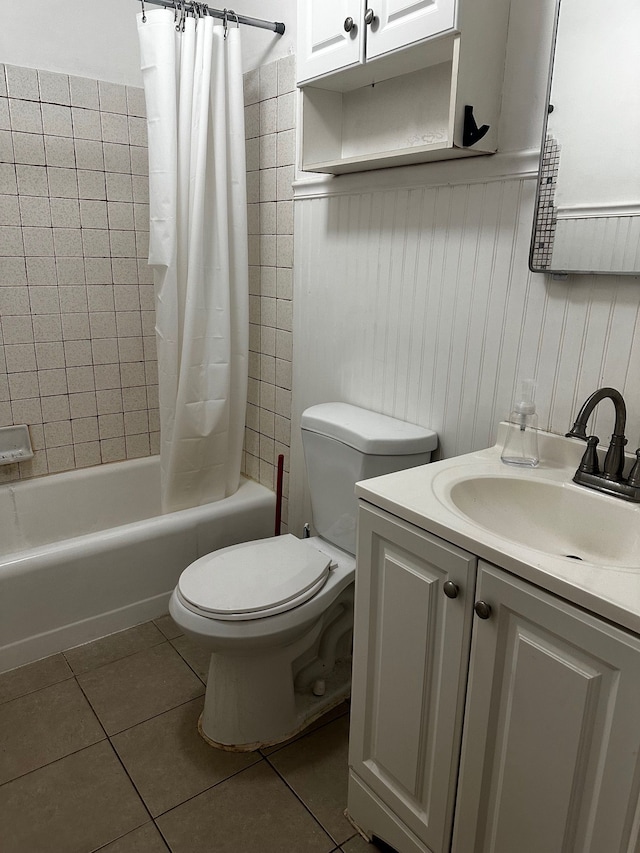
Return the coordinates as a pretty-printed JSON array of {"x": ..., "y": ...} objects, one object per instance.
[{"x": 270, "y": 99}]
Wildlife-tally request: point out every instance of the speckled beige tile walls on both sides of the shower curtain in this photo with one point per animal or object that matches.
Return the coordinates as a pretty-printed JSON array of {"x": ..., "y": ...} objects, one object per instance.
[{"x": 77, "y": 342}]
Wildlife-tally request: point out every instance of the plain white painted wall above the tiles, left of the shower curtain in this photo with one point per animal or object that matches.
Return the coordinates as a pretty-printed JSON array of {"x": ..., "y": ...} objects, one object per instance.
[{"x": 89, "y": 38}]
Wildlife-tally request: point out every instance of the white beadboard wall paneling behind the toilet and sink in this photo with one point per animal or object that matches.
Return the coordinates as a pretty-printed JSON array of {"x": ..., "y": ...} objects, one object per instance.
[{"x": 418, "y": 302}]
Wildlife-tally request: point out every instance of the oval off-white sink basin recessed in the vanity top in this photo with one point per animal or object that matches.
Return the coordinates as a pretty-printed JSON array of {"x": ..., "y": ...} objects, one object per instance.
[{"x": 556, "y": 518}]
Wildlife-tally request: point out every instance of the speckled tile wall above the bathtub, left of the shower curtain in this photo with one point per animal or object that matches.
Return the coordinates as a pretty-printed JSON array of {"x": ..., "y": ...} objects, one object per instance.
[{"x": 77, "y": 341}]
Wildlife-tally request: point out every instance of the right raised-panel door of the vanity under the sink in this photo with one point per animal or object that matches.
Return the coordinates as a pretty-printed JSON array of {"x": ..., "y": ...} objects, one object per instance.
[{"x": 551, "y": 736}]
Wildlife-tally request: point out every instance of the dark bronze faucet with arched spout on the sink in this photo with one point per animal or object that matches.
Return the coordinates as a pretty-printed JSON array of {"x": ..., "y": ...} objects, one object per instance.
[{"x": 610, "y": 480}]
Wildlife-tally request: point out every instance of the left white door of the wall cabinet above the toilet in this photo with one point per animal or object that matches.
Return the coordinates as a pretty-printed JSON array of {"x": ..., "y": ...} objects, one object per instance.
[{"x": 330, "y": 36}]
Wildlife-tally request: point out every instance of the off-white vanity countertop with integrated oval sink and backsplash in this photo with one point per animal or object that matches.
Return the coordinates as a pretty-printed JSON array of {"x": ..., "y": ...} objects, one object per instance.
[{"x": 576, "y": 543}]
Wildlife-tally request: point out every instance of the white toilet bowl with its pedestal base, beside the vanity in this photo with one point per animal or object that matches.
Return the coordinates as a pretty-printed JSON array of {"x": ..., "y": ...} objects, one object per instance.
[{"x": 264, "y": 666}]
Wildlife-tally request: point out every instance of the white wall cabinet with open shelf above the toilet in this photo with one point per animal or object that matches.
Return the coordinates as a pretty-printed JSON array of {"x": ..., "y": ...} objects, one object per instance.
[{"x": 393, "y": 83}]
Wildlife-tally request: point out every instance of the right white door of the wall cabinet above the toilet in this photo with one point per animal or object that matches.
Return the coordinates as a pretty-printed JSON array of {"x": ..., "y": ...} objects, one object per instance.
[{"x": 398, "y": 23}]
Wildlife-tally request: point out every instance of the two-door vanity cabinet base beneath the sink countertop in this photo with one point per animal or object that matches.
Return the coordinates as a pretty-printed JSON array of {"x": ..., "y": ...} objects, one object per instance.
[{"x": 543, "y": 755}]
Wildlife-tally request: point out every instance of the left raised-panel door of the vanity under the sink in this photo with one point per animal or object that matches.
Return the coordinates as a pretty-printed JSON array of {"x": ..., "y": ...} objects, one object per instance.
[{"x": 411, "y": 646}]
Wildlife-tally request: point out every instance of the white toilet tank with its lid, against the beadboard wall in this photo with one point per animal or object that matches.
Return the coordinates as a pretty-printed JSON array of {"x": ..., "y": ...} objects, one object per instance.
[{"x": 344, "y": 444}]
